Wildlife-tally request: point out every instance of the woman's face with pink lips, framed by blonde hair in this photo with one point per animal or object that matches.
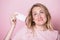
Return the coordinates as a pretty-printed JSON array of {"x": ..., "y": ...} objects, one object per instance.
[{"x": 39, "y": 16}]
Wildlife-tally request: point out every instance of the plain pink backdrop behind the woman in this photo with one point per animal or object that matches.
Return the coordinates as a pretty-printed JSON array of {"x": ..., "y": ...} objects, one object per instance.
[{"x": 7, "y": 7}]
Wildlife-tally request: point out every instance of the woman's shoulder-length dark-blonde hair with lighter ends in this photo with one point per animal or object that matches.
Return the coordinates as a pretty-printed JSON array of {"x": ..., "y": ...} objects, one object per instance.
[{"x": 29, "y": 19}]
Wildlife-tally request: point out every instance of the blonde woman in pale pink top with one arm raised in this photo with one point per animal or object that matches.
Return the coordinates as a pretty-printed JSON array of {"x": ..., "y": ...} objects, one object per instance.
[{"x": 38, "y": 25}]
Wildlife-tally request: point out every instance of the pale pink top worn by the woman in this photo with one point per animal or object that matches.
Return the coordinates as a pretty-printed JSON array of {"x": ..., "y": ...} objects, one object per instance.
[{"x": 26, "y": 34}]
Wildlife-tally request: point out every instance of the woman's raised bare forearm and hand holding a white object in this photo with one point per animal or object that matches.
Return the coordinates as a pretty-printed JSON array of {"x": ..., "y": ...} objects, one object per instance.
[{"x": 13, "y": 24}]
